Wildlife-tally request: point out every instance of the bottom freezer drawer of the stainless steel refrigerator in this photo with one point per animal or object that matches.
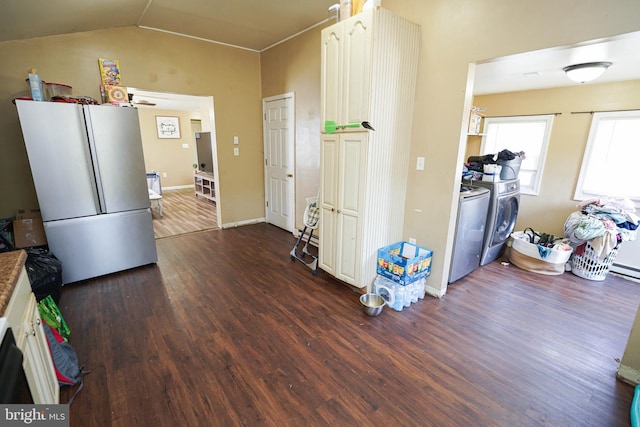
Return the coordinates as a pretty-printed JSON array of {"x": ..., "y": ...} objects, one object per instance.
[{"x": 102, "y": 244}]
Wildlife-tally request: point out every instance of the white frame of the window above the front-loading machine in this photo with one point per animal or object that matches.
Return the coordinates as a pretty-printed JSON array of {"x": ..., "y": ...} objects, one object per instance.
[{"x": 547, "y": 119}]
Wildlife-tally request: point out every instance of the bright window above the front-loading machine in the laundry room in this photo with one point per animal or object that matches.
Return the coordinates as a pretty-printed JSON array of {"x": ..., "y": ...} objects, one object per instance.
[{"x": 520, "y": 133}]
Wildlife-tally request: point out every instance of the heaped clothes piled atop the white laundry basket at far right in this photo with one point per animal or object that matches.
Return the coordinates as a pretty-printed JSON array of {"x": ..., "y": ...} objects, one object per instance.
[{"x": 602, "y": 222}]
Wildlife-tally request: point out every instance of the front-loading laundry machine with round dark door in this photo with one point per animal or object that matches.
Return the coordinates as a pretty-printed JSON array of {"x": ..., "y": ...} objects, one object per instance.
[{"x": 504, "y": 201}]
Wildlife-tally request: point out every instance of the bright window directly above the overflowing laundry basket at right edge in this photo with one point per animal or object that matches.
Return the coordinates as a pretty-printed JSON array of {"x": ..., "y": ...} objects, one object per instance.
[{"x": 609, "y": 167}]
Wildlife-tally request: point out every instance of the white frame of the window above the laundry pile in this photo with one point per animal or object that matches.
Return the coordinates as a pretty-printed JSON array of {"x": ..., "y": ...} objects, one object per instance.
[{"x": 582, "y": 194}]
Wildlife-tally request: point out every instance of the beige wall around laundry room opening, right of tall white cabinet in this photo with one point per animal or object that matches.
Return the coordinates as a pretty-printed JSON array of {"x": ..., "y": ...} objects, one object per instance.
[{"x": 458, "y": 33}]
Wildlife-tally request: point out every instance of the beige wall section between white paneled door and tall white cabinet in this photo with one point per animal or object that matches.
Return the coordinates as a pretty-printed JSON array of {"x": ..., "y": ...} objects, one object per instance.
[{"x": 294, "y": 66}]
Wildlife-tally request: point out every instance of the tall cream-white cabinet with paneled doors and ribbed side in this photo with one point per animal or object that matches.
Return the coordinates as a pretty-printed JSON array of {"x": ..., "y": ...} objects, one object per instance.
[{"x": 369, "y": 68}]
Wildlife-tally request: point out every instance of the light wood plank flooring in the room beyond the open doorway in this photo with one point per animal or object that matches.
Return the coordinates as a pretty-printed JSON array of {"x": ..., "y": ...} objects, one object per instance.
[{"x": 183, "y": 212}]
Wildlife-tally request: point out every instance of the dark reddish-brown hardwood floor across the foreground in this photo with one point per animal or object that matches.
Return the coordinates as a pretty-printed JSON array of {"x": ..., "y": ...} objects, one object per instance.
[{"x": 225, "y": 330}]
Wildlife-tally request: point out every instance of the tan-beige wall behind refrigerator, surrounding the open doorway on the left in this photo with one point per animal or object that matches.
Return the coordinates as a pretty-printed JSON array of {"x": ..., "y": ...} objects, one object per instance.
[{"x": 152, "y": 61}]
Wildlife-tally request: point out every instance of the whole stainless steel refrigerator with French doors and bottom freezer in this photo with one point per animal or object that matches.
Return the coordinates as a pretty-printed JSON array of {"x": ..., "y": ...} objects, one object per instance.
[{"x": 88, "y": 169}]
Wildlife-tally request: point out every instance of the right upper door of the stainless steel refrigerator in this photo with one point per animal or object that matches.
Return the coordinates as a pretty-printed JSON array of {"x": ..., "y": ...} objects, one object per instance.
[{"x": 115, "y": 140}]
